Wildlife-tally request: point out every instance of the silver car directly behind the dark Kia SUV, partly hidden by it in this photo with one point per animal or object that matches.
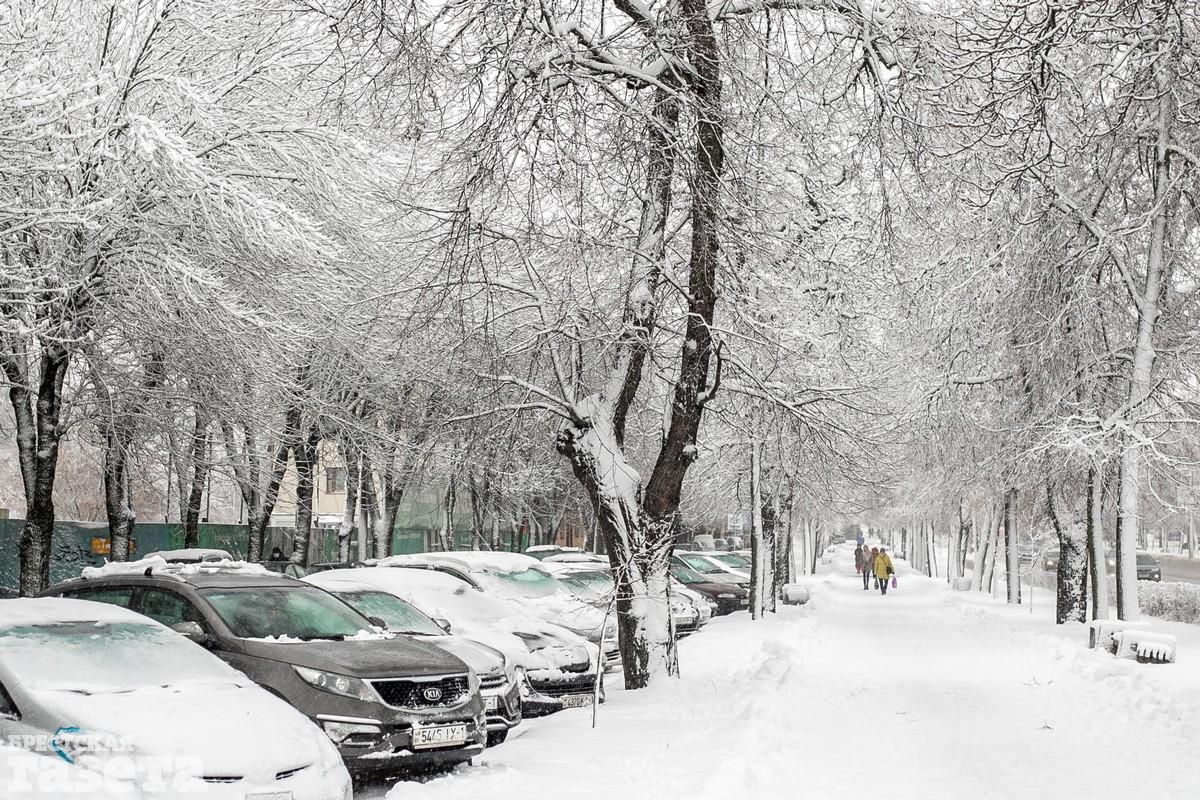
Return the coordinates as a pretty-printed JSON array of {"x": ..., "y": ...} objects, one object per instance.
[{"x": 497, "y": 679}]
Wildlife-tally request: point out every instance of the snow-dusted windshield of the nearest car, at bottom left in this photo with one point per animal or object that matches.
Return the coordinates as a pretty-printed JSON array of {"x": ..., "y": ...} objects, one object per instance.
[{"x": 93, "y": 658}]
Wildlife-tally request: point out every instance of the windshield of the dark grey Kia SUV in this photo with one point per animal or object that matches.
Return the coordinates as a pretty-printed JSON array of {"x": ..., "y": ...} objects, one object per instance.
[{"x": 293, "y": 612}]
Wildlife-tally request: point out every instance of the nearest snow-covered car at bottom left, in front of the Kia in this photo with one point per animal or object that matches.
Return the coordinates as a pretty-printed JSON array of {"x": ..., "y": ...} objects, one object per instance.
[{"x": 141, "y": 712}]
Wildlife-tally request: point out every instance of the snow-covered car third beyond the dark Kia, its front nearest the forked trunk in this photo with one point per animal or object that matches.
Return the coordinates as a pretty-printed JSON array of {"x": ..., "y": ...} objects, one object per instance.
[{"x": 524, "y": 582}]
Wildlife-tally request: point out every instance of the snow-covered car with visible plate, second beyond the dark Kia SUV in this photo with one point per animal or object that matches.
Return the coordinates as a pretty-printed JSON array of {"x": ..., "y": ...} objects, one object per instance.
[{"x": 557, "y": 667}]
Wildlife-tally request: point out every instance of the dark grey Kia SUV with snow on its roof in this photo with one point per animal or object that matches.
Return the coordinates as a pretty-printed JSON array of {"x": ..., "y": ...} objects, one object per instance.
[{"x": 389, "y": 705}]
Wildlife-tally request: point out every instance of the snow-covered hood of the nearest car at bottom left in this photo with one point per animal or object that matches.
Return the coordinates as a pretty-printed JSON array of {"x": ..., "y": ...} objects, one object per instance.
[{"x": 215, "y": 729}]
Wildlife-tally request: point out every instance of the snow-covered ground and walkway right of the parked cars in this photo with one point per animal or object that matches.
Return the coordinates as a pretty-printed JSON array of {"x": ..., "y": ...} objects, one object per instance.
[{"x": 922, "y": 695}]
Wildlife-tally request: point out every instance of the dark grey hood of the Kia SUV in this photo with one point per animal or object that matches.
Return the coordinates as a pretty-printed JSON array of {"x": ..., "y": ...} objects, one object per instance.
[{"x": 401, "y": 655}]
